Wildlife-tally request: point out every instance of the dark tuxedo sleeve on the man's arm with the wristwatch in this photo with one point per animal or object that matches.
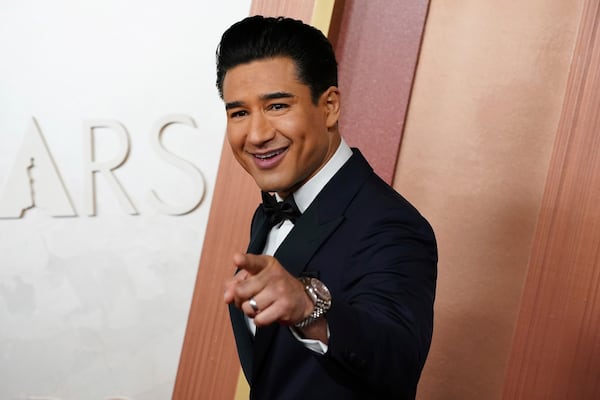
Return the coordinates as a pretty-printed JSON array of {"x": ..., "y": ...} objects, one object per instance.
[{"x": 381, "y": 319}]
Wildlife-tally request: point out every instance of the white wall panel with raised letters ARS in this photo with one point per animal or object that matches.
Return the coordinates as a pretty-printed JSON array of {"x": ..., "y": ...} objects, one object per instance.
[{"x": 95, "y": 306}]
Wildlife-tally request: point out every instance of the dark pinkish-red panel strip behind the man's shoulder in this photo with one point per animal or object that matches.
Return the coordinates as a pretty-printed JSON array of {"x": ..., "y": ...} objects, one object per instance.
[{"x": 377, "y": 48}]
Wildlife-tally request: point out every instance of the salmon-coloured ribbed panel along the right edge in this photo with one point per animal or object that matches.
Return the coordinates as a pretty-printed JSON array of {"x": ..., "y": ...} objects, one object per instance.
[{"x": 556, "y": 351}]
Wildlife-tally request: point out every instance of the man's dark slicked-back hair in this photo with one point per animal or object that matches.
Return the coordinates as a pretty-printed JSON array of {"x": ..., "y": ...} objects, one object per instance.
[{"x": 258, "y": 38}]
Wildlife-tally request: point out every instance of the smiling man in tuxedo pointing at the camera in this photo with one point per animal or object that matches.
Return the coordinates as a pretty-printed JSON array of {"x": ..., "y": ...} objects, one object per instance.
[{"x": 335, "y": 301}]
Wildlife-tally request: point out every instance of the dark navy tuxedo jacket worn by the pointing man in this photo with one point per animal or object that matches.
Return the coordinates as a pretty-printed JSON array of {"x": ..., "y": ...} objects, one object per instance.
[{"x": 378, "y": 257}]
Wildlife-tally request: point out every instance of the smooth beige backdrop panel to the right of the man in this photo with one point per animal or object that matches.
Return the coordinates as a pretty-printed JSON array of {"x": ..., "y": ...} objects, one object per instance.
[{"x": 474, "y": 158}]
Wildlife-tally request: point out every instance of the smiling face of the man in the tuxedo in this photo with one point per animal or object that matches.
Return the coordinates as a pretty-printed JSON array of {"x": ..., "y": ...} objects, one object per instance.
[{"x": 275, "y": 131}]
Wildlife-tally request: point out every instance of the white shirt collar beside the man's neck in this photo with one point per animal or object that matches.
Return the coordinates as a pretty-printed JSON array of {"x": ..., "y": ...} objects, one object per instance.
[{"x": 307, "y": 192}]
